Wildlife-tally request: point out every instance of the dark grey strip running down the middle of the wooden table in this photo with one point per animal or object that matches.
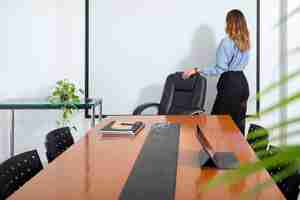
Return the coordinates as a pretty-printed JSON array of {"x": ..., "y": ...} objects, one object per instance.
[{"x": 154, "y": 173}]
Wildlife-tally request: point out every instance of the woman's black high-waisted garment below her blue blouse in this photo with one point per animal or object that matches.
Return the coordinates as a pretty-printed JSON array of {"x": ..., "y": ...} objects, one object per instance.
[{"x": 232, "y": 97}]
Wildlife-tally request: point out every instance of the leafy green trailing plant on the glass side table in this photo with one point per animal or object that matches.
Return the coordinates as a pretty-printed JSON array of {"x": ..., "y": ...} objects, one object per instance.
[{"x": 67, "y": 94}]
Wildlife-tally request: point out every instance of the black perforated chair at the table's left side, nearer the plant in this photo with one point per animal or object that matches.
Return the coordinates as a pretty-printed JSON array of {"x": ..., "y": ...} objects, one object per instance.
[{"x": 58, "y": 141}]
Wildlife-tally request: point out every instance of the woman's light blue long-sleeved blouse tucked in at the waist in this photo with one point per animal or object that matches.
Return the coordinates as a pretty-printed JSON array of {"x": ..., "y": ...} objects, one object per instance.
[{"x": 229, "y": 58}]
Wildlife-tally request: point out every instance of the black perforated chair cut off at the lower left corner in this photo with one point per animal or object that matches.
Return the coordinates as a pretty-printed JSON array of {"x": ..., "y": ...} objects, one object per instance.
[{"x": 16, "y": 171}]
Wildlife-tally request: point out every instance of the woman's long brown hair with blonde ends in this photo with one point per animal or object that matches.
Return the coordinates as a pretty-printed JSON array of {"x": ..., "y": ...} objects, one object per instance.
[{"x": 237, "y": 29}]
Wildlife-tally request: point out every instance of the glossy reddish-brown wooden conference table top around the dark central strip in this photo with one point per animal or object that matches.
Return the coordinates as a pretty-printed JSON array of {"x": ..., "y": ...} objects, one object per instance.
[{"x": 98, "y": 167}]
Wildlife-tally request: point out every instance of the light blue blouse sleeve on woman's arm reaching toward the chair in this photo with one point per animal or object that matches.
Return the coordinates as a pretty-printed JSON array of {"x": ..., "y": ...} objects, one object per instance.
[{"x": 225, "y": 53}]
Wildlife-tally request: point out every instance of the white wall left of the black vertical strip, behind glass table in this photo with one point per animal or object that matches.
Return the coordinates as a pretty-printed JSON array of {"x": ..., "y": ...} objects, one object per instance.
[{"x": 41, "y": 43}]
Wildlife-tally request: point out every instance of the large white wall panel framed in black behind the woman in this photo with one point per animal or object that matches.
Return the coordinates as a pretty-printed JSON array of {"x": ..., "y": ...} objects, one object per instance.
[{"x": 136, "y": 44}]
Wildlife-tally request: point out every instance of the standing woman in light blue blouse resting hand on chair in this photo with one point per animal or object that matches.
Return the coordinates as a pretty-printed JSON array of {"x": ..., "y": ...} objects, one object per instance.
[{"x": 232, "y": 58}]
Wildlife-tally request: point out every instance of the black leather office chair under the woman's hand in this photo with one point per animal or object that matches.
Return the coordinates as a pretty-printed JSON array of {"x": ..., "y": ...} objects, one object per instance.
[{"x": 179, "y": 96}]
